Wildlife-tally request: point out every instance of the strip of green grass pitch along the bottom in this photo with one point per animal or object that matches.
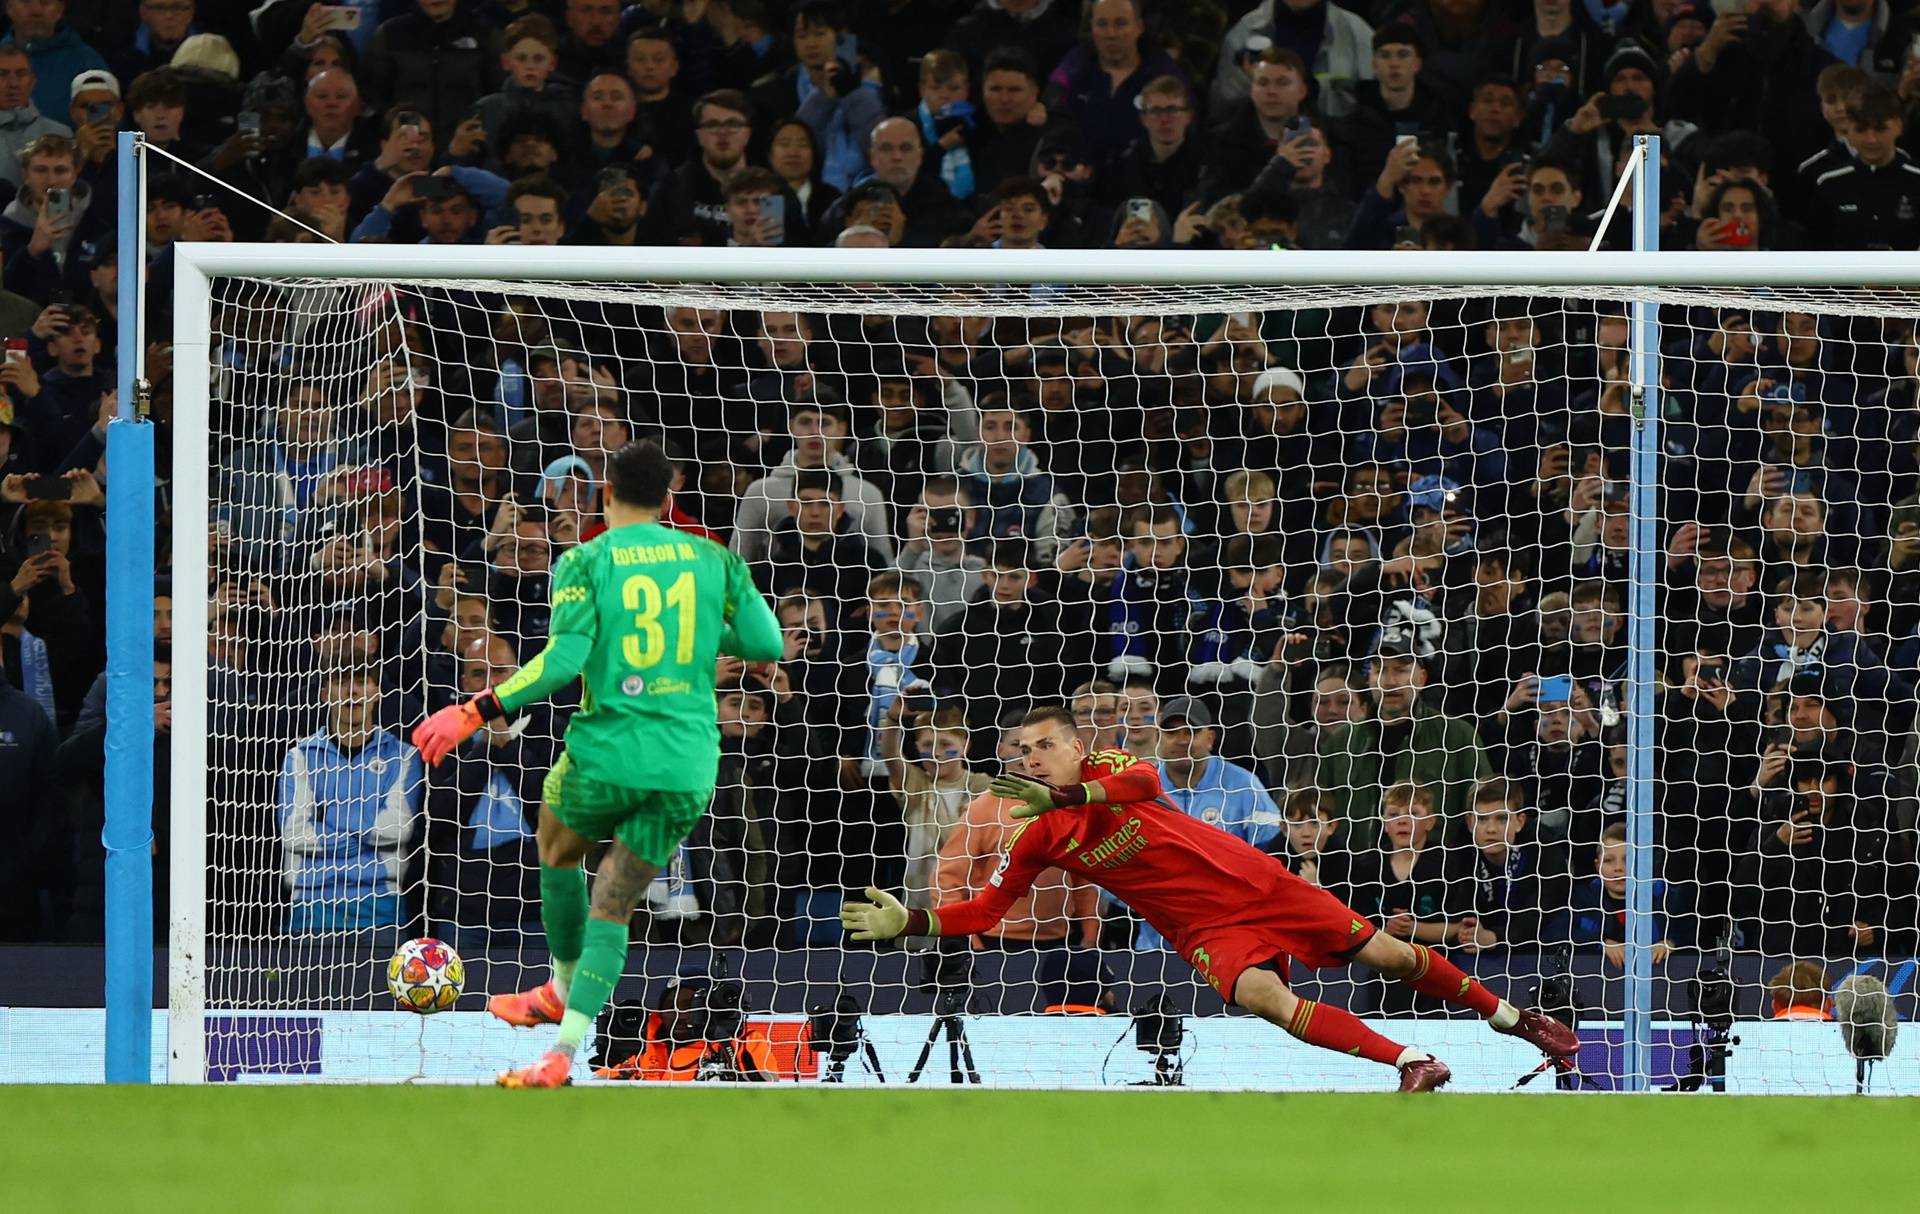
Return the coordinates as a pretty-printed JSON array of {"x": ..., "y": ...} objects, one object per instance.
[{"x": 456, "y": 1150}]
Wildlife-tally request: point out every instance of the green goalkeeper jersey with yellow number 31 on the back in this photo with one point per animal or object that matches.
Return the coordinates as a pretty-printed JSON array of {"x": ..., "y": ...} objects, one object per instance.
[{"x": 642, "y": 614}]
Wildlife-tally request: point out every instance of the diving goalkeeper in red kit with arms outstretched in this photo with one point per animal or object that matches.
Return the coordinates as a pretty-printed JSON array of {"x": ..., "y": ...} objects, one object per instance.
[{"x": 1232, "y": 911}]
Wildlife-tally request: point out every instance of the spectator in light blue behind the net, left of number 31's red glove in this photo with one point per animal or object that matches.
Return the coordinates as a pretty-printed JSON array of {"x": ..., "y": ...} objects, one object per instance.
[{"x": 350, "y": 798}]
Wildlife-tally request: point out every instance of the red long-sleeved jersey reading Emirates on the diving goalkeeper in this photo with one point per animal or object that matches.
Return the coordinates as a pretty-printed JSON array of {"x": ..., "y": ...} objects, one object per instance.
[{"x": 1180, "y": 875}]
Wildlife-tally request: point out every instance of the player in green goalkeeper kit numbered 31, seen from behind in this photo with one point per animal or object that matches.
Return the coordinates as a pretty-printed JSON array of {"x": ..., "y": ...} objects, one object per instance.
[{"x": 640, "y": 612}]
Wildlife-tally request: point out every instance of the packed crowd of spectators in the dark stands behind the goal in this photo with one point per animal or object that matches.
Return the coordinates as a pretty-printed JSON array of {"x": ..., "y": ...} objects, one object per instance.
[{"x": 1355, "y": 579}]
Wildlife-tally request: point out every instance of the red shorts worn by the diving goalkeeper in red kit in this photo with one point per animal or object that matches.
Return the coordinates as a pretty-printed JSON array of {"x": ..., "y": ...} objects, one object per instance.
[{"x": 1297, "y": 919}]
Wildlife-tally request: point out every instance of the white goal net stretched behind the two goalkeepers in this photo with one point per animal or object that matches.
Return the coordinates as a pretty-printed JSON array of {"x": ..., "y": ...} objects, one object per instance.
[{"x": 1353, "y": 566}]
